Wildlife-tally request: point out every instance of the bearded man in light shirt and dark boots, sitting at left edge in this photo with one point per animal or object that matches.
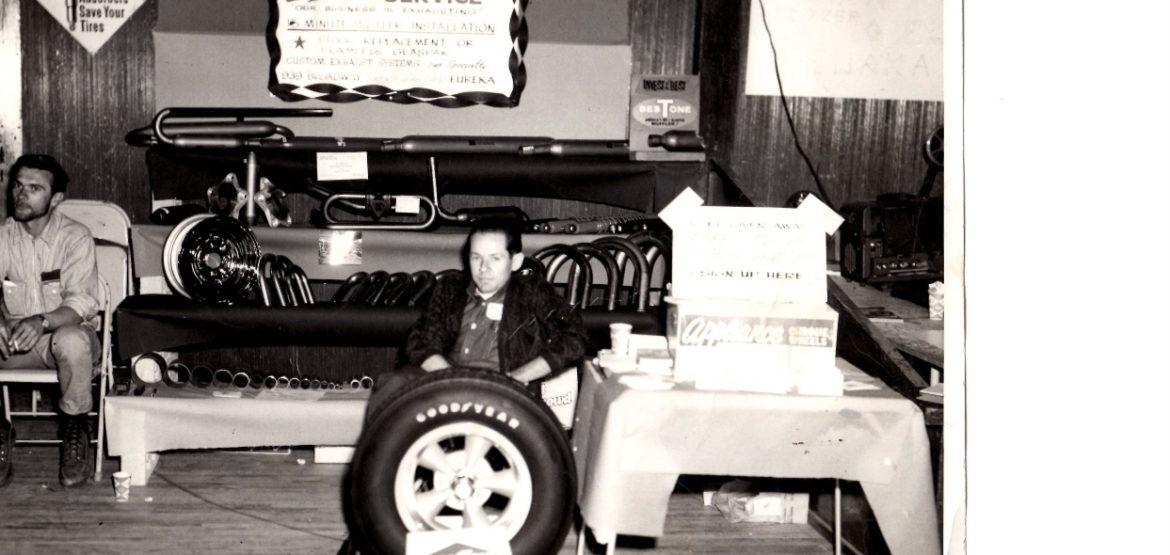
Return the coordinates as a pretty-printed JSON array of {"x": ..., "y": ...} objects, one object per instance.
[{"x": 50, "y": 305}]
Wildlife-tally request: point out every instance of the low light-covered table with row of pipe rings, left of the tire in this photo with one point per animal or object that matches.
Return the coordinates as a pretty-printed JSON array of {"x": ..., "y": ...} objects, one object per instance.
[{"x": 140, "y": 428}]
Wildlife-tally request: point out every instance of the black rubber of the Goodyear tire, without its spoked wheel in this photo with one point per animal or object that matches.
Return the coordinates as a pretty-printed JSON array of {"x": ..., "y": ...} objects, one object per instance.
[{"x": 457, "y": 398}]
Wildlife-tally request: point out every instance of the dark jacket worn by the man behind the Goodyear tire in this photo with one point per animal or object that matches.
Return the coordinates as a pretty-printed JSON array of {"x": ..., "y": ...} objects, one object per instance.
[{"x": 536, "y": 321}]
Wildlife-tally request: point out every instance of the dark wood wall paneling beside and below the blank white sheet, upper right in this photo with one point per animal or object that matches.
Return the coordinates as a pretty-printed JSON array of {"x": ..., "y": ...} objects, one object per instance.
[{"x": 861, "y": 148}]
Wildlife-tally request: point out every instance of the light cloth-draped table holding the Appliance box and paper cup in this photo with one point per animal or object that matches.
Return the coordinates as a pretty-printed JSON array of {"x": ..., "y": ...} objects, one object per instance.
[{"x": 632, "y": 446}]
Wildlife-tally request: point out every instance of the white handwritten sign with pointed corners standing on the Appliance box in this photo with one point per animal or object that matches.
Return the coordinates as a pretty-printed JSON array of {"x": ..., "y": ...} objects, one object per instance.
[{"x": 748, "y": 253}]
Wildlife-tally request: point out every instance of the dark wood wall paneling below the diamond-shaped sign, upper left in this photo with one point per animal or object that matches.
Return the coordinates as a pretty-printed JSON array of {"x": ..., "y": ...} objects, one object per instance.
[{"x": 79, "y": 107}]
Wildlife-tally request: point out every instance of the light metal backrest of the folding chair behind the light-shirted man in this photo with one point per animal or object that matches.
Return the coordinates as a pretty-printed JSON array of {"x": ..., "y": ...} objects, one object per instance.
[{"x": 111, "y": 228}]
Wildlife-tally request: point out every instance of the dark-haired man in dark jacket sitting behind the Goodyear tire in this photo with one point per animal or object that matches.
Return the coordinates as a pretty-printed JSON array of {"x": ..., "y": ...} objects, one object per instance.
[{"x": 493, "y": 318}]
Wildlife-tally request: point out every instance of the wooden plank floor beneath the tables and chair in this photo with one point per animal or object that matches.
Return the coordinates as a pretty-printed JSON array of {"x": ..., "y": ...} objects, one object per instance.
[{"x": 226, "y": 502}]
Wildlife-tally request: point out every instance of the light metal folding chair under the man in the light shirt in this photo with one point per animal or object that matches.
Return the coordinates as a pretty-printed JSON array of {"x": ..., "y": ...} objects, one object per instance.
[{"x": 111, "y": 228}]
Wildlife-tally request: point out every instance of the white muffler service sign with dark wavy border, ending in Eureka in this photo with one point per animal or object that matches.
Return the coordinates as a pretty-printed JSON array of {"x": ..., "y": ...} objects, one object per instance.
[{"x": 450, "y": 53}]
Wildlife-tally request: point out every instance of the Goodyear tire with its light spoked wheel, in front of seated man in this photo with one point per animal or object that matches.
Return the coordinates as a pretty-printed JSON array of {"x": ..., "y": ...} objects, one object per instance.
[{"x": 458, "y": 449}]
